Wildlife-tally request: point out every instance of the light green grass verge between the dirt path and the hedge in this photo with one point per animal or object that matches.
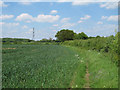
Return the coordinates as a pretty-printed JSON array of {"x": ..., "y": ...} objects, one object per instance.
[{"x": 103, "y": 72}]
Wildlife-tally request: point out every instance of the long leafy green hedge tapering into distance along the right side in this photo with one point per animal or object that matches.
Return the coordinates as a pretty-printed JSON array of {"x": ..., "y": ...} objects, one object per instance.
[{"x": 102, "y": 44}]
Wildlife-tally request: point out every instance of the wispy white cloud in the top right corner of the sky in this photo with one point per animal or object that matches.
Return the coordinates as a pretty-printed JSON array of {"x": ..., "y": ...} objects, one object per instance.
[{"x": 109, "y": 5}]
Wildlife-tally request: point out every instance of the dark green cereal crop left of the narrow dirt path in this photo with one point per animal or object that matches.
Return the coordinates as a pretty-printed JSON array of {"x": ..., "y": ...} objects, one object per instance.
[{"x": 41, "y": 66}]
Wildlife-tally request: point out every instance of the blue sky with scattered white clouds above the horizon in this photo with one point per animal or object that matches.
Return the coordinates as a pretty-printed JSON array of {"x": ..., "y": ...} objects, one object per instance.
[{"x": 93, "y": 18}]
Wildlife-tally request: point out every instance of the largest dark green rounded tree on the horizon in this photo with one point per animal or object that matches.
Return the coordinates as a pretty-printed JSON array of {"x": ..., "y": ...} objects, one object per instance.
[{"x": 64, "y": 35}]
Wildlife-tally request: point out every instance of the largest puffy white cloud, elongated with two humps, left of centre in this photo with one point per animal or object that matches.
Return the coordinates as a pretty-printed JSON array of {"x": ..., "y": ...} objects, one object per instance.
[{"x": 40, "y": 18}]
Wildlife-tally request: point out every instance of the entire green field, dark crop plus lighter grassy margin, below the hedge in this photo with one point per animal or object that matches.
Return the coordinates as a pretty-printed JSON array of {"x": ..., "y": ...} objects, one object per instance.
[{"x": 55, "y": 66}]
